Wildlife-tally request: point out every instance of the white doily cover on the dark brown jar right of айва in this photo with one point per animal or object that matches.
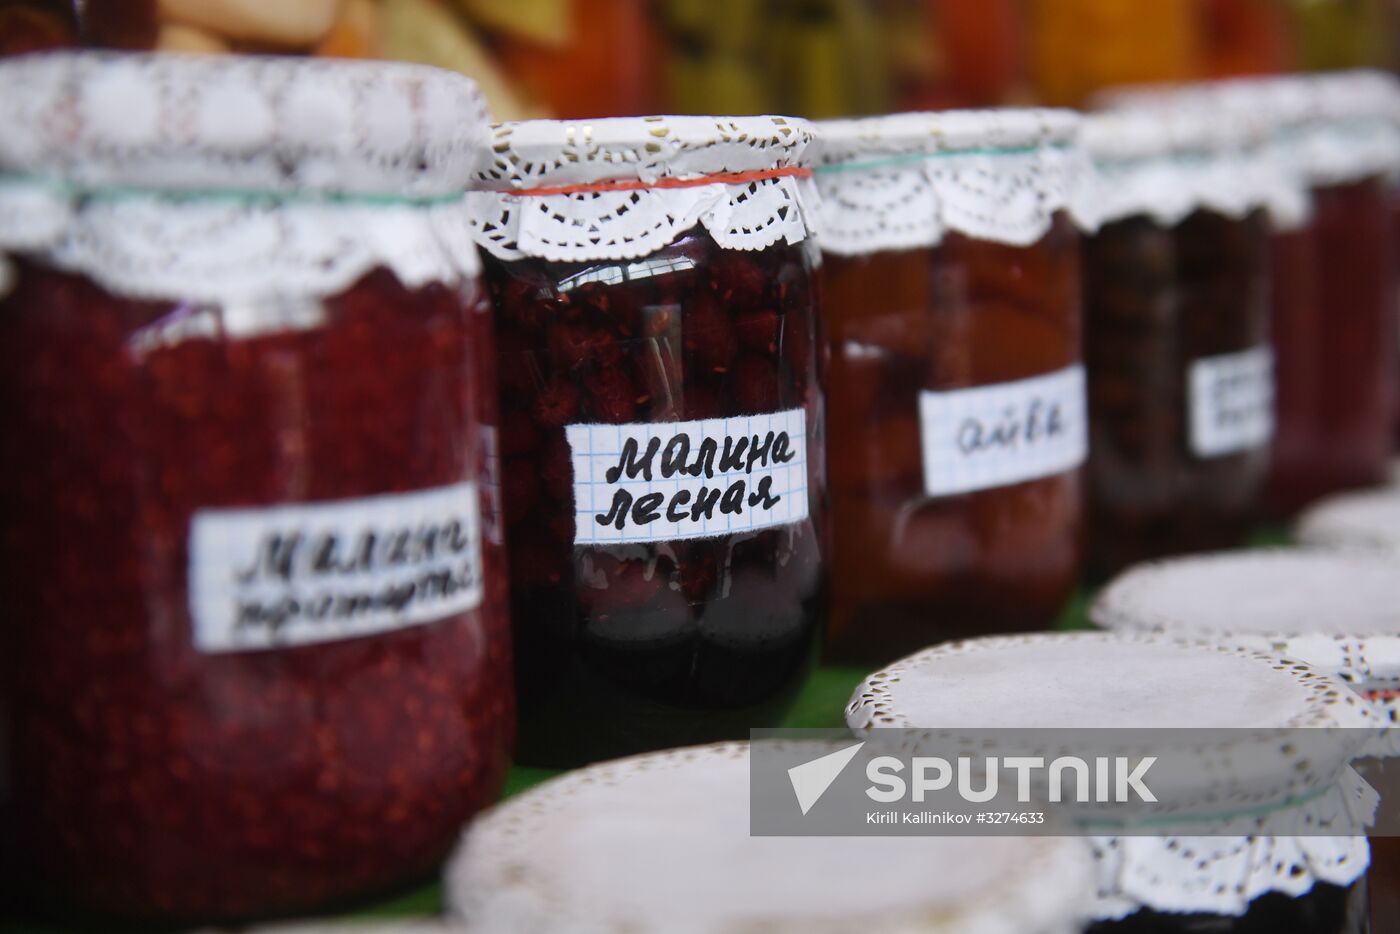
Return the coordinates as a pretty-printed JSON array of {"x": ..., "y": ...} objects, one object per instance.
[{"x": 1171, "y": 162}]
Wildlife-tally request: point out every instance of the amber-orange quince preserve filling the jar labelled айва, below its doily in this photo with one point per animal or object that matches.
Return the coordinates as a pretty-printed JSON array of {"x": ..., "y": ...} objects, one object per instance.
[{"x": 912, "y": 568}]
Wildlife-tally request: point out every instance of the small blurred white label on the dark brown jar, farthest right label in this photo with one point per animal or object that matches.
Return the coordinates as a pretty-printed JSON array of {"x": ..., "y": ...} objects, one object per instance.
[{"x": 1233, "y": 403}]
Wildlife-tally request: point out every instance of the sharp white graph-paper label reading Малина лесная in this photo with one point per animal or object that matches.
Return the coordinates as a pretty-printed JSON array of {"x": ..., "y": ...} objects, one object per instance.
[{"x": 667, "y": 481}]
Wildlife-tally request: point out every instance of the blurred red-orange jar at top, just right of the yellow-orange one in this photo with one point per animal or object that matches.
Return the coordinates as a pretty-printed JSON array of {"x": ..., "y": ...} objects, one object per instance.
[{"x": 1247, "y": 37}]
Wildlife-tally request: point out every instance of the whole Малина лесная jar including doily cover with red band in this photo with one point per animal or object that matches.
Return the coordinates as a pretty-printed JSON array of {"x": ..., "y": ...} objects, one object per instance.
[{"x": 663, "y": 426}]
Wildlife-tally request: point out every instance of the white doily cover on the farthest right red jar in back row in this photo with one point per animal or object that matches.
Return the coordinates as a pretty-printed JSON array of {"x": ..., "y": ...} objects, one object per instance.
[{"x": 1319, "y": 130}]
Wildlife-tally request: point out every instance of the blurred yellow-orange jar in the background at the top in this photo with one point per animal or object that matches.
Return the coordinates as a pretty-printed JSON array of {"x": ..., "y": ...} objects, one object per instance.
[{"x": 1080, "y": 47}]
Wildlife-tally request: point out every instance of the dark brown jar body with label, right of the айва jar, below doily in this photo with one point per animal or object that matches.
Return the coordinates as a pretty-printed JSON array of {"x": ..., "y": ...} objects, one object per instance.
[{"x": 1178, "y": 341}]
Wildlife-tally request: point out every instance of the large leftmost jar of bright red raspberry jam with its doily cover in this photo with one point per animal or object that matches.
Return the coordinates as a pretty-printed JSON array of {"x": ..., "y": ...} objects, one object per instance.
[{"x": 257, "y": 649}]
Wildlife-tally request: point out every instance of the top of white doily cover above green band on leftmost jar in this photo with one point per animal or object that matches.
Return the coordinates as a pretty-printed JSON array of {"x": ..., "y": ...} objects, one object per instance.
[{"x": 236, "y": 125}]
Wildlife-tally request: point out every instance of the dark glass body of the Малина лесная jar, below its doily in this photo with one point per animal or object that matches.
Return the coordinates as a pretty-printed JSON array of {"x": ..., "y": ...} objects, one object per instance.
[{"x": 626, "y": 641}]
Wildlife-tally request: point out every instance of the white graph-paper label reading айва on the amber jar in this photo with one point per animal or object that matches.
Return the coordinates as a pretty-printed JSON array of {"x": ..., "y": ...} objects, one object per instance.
[{"x": 1006, "y": 433}]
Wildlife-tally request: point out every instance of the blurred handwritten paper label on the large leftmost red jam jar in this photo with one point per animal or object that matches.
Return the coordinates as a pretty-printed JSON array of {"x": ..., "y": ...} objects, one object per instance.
[{"x": 296, "y": 575}]
